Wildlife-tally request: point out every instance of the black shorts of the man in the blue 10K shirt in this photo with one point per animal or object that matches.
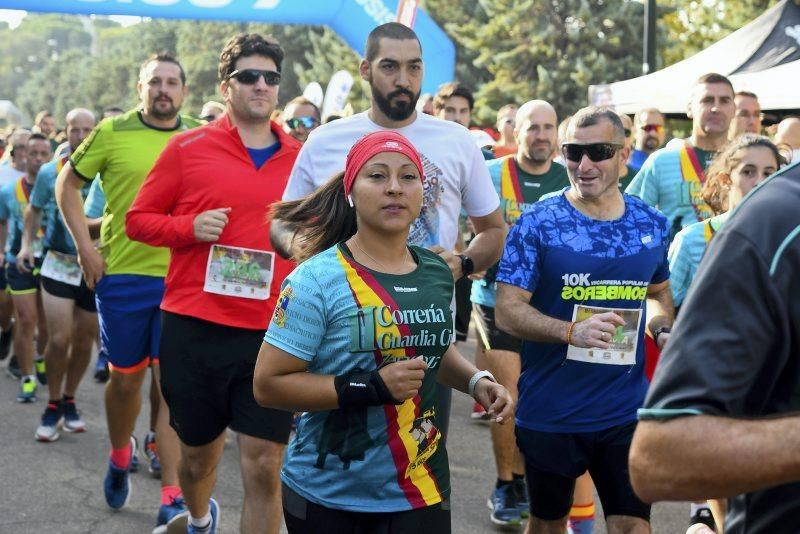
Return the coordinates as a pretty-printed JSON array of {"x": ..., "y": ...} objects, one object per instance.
[{"x": 553, "y": 461}]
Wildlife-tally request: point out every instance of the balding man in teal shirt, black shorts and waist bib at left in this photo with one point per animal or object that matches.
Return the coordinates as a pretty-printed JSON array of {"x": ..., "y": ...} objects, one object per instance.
[{"x": 69, "y": 307}]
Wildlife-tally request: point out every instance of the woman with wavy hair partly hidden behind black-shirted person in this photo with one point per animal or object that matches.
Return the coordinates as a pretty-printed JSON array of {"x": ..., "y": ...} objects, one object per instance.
[{"x": 738, "y": 168}]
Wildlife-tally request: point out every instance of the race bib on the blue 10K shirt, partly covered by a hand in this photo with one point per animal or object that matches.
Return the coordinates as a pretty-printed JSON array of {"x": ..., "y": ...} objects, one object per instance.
[{"x": 622, "y": 349}]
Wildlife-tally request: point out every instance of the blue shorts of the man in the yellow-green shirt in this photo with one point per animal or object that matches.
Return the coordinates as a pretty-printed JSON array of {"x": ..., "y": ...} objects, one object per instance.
[{"x": 128, "y": 308}]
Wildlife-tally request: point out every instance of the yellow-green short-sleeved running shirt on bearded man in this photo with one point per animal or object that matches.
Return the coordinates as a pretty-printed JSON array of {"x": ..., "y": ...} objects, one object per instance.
[{"x": 122, "y": 150}]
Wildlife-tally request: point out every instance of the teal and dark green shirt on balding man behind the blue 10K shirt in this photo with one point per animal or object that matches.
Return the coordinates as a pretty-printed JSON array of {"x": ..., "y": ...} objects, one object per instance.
[{"x": 518, "y": 191}]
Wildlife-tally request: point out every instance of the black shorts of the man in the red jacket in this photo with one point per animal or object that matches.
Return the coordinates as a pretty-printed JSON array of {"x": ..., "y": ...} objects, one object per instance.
[{"x": 207, "y": 382}]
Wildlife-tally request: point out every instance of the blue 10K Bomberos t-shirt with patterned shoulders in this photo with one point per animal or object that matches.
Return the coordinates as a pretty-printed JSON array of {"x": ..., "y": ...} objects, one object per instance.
[{"x": 576, "y": 266}]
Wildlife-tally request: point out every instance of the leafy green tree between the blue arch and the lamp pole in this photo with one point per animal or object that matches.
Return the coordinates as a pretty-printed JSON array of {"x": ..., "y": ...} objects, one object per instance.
[{"x": 551, "y": 50}]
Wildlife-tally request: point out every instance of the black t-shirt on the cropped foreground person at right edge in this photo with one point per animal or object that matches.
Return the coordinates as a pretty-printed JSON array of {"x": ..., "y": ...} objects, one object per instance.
[{"x": 735, "y": 349}]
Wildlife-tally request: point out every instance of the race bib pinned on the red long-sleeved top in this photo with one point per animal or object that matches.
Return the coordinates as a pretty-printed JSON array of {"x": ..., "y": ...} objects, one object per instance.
[{"x": 239, "y": 272}]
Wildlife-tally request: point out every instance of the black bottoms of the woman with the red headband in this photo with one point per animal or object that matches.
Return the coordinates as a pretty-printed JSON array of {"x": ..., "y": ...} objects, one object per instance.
[{"x": 305, "y": 517}]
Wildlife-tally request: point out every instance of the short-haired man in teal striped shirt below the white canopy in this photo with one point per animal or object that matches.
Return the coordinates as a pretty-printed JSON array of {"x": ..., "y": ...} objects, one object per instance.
[{"x": 672, "y": 178}]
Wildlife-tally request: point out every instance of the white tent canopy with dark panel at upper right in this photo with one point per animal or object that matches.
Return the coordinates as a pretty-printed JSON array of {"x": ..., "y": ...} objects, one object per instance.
[{"x": 762, "y": 57}]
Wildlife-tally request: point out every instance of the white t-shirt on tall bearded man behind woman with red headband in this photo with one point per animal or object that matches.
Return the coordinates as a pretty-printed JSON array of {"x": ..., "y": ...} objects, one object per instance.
[{"x": 455, "y": 171}]
